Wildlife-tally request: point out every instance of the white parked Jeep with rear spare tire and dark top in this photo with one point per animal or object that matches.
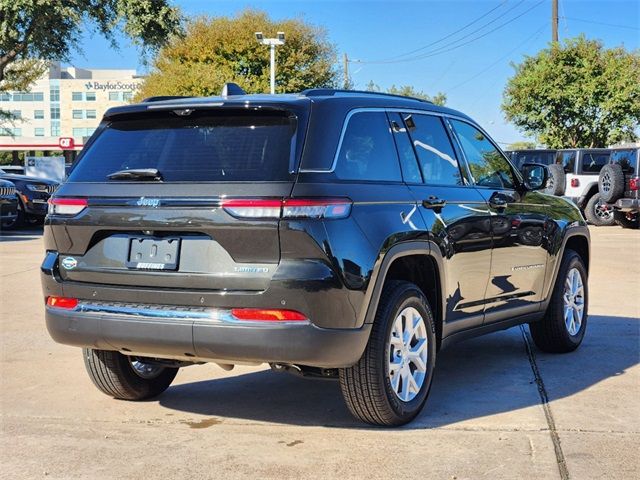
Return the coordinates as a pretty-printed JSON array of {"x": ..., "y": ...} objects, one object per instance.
[{"x": 575, "y": 176}]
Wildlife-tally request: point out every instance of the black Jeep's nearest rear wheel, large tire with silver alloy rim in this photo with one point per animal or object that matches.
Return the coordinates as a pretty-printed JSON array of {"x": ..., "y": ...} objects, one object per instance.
[{"x": 367, "y": 386}]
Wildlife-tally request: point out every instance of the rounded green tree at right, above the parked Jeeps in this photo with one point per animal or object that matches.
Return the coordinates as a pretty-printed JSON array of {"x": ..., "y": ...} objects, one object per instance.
[{"x": 576, "y": 95}]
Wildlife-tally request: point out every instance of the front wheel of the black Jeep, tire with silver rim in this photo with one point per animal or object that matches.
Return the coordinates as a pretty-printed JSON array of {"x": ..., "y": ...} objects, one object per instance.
[{"x": 551, "y": 333}]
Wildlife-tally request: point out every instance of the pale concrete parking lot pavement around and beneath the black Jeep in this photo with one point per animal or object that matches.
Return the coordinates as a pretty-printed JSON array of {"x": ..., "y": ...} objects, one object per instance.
[{"x": 498, "y": 408}]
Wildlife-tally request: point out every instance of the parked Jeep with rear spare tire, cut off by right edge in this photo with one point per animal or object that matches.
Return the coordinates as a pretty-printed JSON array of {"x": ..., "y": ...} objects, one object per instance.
[{"x": 619, "y": 183}]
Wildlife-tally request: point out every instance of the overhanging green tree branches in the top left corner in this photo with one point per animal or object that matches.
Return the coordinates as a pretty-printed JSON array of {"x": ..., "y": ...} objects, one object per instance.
[{"x": 51, "y": 29}]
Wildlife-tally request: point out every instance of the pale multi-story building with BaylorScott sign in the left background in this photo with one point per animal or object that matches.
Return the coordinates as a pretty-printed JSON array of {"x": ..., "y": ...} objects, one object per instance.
[{"x": 63, "y": 107}]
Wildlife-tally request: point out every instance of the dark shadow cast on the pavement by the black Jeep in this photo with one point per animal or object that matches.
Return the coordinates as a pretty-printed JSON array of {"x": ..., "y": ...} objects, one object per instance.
[{"x": 474, "y": 379}]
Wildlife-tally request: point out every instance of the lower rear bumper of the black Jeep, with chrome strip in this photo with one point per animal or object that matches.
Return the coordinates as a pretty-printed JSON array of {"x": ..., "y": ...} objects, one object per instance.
[{"x": 188, "y": 335}]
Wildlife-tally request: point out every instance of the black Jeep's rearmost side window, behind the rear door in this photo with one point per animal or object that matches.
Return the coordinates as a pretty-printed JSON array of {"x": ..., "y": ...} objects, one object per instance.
[{"x": 367, "y": 151}]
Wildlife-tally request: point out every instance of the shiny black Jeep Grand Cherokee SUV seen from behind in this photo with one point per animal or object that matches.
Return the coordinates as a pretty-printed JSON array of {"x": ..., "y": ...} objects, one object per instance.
[{"x": 331, "y": 233}]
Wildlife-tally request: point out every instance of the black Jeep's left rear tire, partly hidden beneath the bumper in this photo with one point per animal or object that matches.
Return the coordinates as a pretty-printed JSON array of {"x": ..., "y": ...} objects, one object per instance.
[{"x": 114, "y": 374}]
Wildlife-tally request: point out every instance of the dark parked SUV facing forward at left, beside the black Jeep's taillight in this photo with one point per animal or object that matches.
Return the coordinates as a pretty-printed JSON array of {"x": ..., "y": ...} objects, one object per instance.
[{"x": 33, "y": 194}]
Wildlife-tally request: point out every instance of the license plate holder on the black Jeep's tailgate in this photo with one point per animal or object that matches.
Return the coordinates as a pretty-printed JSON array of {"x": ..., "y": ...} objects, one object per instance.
[{"x": 153, "y": 253}]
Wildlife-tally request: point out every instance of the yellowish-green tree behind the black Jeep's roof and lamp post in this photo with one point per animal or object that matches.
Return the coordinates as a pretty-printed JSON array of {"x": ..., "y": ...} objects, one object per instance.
[{"x": 223, "y": 49}]
